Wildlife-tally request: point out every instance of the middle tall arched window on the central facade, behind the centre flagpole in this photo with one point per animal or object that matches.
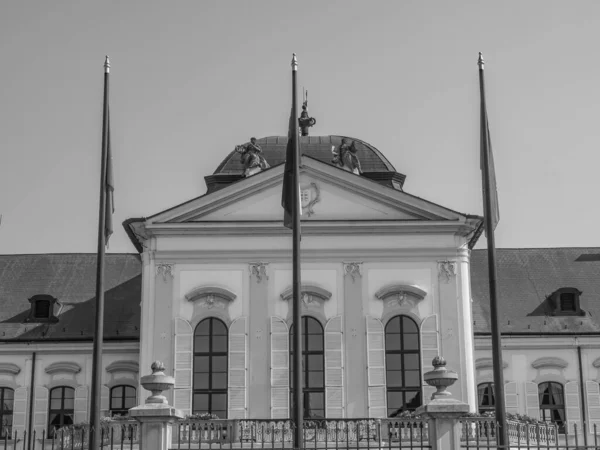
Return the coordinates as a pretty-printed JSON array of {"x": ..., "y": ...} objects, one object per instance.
[{"x": 313, "y": 369}]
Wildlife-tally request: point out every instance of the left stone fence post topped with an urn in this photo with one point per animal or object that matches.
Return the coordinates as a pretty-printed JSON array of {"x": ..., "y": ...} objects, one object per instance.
[{"x": 156, "y": 417}]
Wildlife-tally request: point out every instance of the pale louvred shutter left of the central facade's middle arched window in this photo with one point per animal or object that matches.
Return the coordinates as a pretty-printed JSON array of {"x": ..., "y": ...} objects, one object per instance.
[{"x": 280, "y": 383}]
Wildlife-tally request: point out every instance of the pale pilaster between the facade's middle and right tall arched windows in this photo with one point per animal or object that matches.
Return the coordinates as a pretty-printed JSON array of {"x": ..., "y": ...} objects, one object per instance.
[{"x": 354, "y": 341}]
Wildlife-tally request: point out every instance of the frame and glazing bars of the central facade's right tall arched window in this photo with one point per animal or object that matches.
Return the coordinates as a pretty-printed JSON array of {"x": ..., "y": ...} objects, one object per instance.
[{"x": 404, "y": 390}]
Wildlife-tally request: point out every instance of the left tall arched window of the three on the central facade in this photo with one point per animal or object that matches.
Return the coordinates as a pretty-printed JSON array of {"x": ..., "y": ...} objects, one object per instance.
[{"x": 210, "y": 368}]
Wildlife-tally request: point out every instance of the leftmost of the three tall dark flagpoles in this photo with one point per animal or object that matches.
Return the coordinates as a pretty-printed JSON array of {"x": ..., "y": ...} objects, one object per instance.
[{"x": 95, "y": 430}]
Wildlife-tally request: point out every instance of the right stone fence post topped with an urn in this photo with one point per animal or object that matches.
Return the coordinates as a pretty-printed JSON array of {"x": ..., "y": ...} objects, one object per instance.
[{"x": 443, "y": 412}]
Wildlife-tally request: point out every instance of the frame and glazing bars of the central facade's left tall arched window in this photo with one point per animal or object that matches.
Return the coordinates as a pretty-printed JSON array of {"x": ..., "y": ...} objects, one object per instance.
[{"x": 210, "y": 354}]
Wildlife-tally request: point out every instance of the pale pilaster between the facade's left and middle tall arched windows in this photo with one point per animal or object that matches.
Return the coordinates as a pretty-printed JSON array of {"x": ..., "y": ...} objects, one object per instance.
[{"x": 259, "y": 392}]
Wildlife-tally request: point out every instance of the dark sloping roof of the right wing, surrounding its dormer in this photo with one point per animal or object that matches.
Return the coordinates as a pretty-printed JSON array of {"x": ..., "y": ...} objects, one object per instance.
[{"x": 526, "y": 277}]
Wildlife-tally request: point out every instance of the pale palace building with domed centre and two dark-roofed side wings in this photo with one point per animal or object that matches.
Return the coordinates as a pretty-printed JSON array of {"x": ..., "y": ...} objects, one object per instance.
[{"x": 389, "y": 281}]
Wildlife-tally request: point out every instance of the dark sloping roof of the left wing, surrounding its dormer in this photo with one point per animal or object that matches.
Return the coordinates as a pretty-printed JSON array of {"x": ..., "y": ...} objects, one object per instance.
[{"x": 71, "y": 279}]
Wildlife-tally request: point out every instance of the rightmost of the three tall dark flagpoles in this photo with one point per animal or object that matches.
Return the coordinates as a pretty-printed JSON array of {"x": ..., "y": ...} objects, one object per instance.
[{"x": 502, "y": 435}]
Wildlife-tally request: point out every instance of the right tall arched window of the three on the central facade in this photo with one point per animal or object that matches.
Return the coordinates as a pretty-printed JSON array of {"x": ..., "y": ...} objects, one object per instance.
[{"x": 403, "y": 369}]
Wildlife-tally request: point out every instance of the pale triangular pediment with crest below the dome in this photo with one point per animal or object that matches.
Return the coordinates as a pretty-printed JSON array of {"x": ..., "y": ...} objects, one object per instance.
[{"x": 329, "y": 194}]
